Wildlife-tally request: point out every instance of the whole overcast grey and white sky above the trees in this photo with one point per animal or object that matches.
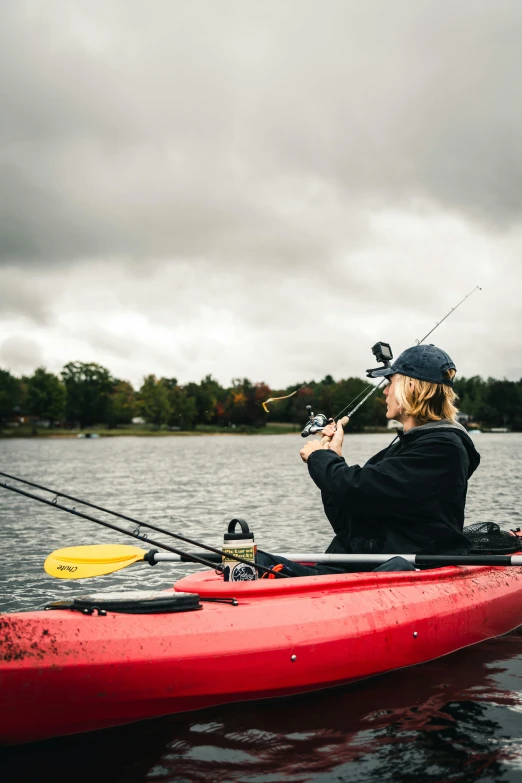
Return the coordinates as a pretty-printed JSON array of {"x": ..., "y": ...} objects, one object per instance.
[{"x": 259, "y": 188}]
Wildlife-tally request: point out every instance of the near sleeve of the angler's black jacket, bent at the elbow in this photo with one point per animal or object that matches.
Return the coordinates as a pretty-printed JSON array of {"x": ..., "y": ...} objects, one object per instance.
[{"x": 414, "y": 473}]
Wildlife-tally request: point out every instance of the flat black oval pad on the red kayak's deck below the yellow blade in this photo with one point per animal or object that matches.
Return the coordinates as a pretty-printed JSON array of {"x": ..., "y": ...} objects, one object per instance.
[{"x": 131, "y": 602}]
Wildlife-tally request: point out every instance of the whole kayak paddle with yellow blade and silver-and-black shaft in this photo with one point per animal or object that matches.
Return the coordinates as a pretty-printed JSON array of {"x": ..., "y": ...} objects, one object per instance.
[{"x": 79, "y": 562}]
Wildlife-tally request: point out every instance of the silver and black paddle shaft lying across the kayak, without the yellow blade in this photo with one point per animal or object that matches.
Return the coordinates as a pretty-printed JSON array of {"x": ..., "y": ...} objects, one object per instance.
[{"x": 436, "y": 560}]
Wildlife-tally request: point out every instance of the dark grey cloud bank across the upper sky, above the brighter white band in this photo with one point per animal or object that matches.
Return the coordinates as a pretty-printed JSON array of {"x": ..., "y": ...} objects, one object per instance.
[{"x": 197, "y": 130}]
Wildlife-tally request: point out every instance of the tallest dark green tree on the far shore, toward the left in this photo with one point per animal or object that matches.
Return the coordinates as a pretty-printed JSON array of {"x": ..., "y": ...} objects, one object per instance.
[{"x": 89, "y": 388}]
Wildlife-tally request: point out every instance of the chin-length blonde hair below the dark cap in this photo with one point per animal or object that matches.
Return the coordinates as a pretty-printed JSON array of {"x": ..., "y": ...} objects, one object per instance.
[{"x": 426, "y": 401}]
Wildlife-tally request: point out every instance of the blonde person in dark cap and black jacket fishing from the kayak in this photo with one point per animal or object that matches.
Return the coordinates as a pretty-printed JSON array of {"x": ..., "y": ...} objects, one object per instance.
[{"x": 410, "y": 497}]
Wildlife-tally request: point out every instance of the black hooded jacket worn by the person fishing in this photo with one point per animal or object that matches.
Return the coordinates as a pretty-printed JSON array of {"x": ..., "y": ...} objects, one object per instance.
[{"x": 408, "y": 498}]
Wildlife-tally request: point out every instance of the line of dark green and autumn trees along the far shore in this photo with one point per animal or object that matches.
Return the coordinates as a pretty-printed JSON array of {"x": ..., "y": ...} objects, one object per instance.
[{"x": 87, "y": 395}]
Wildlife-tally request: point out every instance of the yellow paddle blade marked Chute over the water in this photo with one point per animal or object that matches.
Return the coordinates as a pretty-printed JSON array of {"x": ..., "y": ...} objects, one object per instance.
[{"x": 80, "y": 562}]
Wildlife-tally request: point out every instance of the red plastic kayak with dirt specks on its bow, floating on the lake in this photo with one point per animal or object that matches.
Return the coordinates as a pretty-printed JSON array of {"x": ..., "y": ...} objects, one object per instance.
[{"x": 64, "y": 672}]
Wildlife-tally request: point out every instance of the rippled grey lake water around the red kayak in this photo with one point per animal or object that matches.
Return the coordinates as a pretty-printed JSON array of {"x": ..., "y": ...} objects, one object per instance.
[{"x": 455, "y": 719}]
